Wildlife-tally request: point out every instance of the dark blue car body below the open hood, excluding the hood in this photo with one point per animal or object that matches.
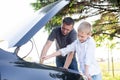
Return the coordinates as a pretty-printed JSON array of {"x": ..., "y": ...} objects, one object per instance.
[{"x": 14, "y": 68}]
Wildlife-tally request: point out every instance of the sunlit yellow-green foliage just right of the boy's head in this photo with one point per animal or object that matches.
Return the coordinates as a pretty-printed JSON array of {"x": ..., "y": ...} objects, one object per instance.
[{"x": 107, "y": 27}]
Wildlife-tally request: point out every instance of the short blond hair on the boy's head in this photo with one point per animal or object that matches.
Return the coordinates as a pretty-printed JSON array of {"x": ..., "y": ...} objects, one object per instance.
[{"x": 85, "y": 27}]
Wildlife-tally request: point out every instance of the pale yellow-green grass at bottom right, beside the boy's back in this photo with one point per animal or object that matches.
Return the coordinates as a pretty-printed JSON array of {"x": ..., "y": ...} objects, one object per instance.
[{"x": 108, "y": 73}]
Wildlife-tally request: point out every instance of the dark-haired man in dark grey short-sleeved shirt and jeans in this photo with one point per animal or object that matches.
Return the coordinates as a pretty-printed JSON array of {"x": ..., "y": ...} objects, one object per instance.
[{"x": 63, "y": 35}]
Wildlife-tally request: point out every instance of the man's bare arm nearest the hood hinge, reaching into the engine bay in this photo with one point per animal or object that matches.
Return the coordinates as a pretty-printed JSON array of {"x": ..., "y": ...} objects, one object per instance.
[{"x": 45, "y": 49}]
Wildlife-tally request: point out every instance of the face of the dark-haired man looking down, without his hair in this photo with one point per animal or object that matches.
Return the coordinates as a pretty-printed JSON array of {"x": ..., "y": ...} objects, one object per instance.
[{"x": 65, "y": 29}]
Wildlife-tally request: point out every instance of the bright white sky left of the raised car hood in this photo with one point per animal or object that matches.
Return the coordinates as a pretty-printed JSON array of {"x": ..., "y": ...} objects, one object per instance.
[{"x": 12, "y": 14}]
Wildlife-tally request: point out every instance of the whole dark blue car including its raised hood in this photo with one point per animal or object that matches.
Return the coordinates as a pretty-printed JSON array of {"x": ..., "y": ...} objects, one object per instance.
[{"x": 12, "y": 67}]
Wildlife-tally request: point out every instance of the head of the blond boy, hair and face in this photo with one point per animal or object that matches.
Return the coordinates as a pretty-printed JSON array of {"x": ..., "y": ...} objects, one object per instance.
[{"x": 84, "y": 31}]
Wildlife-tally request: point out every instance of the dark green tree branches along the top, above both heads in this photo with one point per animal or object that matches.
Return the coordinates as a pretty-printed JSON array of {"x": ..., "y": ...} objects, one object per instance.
[{"x": 82, "y": 8}]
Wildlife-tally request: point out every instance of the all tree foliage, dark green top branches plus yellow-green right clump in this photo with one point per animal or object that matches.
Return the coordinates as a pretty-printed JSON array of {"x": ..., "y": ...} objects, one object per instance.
[{"x": 107, "y": 27}]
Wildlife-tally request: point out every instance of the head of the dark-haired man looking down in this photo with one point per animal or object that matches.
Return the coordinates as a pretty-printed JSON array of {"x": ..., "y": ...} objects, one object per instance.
[{"x": 67, "y": 25}]
